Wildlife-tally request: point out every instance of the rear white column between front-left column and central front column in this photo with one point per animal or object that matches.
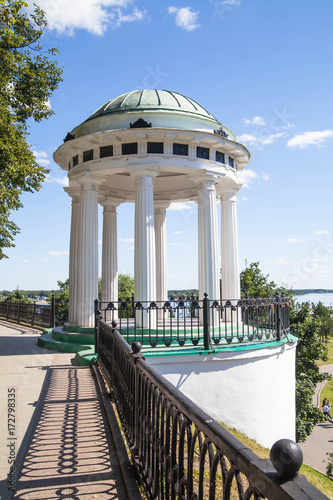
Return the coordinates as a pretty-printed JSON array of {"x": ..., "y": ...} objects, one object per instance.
[{"x": 110, "y": 253}]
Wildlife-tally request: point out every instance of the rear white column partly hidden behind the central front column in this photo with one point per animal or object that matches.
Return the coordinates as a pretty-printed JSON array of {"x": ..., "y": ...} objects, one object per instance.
[{"x": 161, "y": 251}]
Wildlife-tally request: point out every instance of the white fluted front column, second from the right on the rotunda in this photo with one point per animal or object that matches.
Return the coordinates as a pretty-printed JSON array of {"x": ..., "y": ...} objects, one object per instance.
[{"x": 208, "y": 239}]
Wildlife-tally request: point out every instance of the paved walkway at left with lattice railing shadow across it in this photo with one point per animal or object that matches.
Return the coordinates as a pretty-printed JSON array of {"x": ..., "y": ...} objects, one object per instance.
[{"x": 59, "y": 439}]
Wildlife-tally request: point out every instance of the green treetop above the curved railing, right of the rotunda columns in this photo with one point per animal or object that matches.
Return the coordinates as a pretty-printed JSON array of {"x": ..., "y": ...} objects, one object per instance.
[{"x": 255, "y": 284}]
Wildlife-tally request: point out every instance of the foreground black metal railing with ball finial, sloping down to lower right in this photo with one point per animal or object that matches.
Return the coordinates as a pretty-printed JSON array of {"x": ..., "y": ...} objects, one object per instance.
[{"x": 178, "y": 450}]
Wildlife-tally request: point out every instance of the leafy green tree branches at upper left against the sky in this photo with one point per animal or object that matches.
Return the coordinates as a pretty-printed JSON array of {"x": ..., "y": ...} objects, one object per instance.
[{"x": 28, "y": 77}]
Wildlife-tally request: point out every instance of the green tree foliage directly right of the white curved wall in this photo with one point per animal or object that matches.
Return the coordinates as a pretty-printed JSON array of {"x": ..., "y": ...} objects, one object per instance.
[{"x": 306, "y": 327}]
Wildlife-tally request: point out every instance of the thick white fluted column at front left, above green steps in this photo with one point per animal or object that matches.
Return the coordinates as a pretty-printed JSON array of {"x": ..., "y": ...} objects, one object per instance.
[{"x": 88, "y": 261}]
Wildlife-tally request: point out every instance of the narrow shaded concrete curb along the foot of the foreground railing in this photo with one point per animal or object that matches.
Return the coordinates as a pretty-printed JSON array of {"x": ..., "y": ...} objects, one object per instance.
[{"x": 126, "y": 467}]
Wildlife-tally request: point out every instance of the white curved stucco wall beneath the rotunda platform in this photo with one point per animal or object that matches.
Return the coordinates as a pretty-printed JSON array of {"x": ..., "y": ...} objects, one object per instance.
[{"x": 252, "y": 391}]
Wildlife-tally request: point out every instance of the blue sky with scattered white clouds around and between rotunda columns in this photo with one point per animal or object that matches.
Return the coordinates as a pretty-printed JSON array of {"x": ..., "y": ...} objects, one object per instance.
[{"x": 264, "y": 69}]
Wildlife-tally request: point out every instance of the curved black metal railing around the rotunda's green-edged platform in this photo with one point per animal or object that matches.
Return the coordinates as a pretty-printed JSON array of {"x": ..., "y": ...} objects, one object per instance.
[{"x": 193, "y": 322}]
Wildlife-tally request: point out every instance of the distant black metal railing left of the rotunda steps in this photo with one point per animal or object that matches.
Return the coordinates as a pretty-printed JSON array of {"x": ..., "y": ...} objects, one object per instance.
[{"x": 33, "y": 314}]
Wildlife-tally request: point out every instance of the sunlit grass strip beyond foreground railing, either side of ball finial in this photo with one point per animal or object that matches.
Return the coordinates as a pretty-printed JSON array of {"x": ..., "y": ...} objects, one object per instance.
[{"x": 323, "y": 483}]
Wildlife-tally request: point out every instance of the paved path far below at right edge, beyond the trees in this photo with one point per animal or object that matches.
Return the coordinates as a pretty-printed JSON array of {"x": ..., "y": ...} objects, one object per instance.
[{"x": 320, "y": 441}]
